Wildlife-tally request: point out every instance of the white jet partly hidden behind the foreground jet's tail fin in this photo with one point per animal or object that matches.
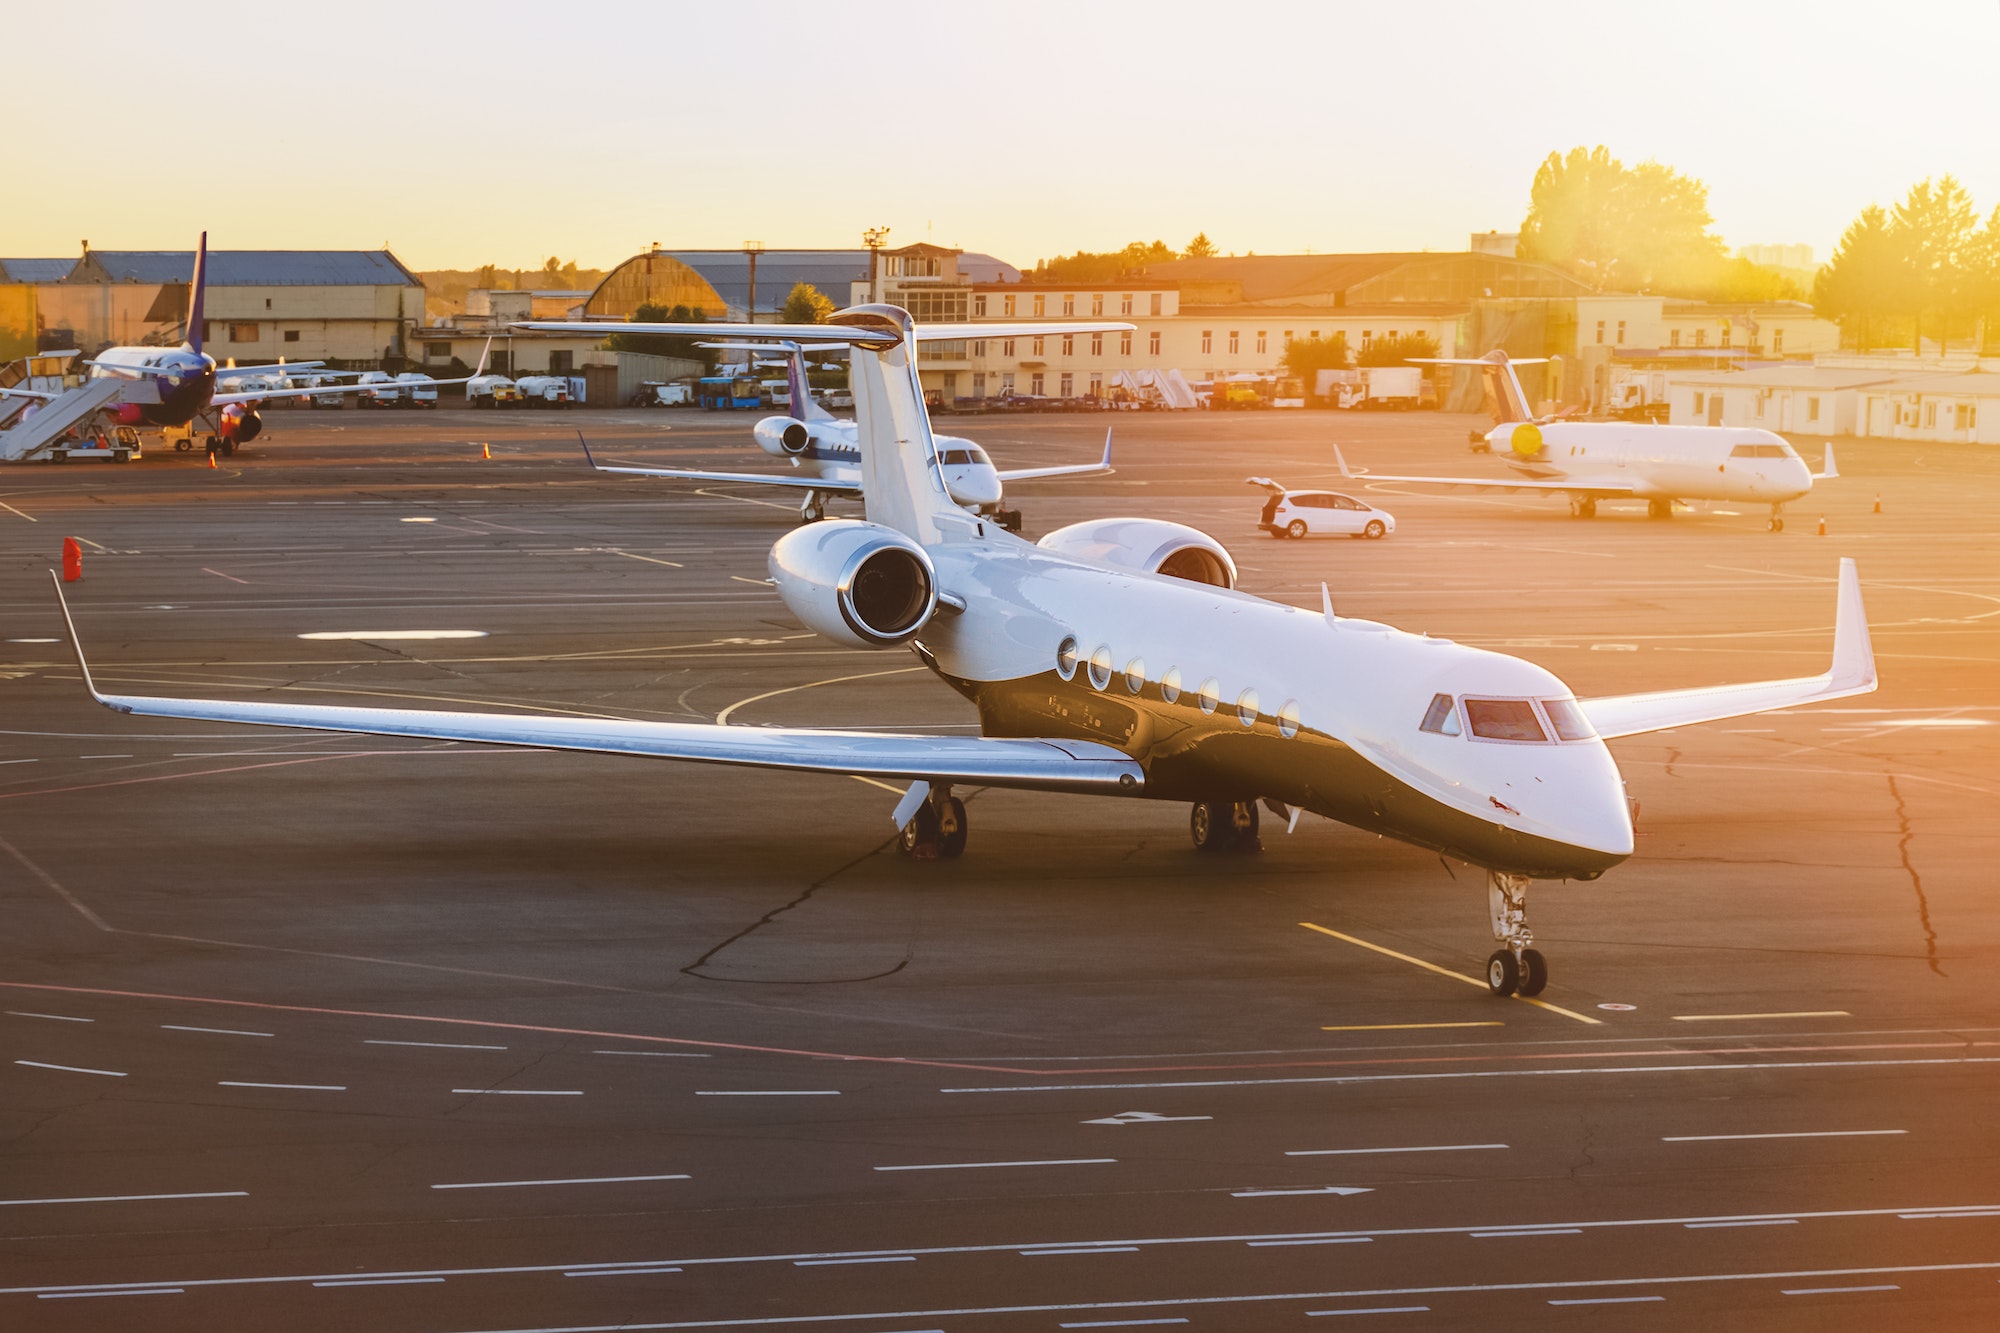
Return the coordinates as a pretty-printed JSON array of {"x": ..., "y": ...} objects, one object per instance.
[{"x": 827, "y": 457}]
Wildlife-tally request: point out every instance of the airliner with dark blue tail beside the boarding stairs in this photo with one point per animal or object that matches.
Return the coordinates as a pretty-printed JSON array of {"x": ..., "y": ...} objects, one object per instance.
[{"x": 179, "y": 385}]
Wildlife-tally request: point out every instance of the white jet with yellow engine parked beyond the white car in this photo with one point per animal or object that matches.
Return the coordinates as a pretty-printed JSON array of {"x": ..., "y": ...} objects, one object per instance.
[{"x": 1625, "y": 461}]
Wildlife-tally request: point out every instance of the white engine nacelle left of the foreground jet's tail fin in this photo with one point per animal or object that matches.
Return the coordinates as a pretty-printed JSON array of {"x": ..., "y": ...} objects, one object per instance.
[{"x": 857, "y": 583}]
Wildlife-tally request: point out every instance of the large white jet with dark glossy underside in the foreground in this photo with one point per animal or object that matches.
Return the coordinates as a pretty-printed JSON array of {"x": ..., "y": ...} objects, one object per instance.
[{"x": 1117, "y": 657}]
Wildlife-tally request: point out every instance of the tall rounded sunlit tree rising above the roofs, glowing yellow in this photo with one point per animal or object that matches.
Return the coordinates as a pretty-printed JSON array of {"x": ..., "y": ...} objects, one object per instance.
[{"x": 1641, "y": 229}]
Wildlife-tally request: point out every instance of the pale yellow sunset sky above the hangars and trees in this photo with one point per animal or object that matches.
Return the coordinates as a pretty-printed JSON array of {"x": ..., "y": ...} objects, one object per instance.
[{"x": 507, "y": 133}]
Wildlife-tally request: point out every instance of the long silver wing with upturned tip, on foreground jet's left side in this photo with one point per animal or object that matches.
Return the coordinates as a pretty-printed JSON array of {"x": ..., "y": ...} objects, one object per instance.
[{"x": 1039, "y": 766}]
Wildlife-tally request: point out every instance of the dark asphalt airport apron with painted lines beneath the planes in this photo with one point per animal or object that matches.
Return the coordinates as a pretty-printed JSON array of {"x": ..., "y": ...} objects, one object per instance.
[{"x": 317, "y": 1032}]
